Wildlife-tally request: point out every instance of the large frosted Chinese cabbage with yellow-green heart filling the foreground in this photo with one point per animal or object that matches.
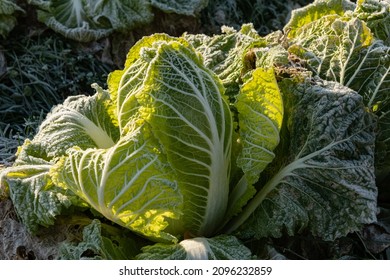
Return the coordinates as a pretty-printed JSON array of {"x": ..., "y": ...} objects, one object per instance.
[{"x": 201, "y": 143}]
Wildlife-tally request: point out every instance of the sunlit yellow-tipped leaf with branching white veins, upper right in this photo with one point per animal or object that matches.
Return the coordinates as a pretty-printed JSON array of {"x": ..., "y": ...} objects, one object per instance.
[{"x": 333, "y": 47}]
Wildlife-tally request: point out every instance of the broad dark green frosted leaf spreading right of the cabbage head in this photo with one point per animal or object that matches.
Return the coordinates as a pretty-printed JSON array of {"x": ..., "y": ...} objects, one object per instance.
[{"x": 326, "y": 183}]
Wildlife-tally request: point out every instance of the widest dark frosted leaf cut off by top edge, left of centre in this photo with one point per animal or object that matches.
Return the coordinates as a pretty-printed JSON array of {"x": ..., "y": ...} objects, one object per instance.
[{"x": 89, "y": 20}]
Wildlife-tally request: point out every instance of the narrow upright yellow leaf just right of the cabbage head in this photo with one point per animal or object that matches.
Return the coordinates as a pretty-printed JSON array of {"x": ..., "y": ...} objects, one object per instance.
[{"x": 260, "y": 115}]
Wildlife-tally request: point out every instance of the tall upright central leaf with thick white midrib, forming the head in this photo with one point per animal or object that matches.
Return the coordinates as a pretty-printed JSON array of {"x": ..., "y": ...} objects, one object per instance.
[{"x": 183, "y": 103}]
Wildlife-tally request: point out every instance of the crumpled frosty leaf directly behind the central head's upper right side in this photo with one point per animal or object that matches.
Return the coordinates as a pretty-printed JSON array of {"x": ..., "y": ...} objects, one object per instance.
[{"x": 225, "y": 54}]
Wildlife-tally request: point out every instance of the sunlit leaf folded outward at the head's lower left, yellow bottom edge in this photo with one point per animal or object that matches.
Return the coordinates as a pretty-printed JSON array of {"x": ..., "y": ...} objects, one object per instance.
[{"x": 130, "y": 183}]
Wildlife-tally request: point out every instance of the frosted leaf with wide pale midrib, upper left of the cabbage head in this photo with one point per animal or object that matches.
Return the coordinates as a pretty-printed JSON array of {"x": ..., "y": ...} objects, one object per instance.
[{"x": 83, "y": 121}]
